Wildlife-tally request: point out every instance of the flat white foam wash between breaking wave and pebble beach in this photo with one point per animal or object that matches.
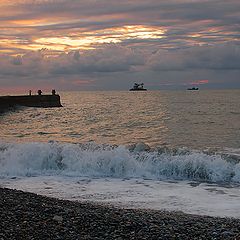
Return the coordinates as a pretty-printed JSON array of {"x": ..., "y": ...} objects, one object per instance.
[{"x": 194, "y": 197}]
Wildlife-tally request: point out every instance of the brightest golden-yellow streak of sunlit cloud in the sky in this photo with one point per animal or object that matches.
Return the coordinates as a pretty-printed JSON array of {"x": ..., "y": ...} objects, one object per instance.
[{"x": 86, "y": 40}]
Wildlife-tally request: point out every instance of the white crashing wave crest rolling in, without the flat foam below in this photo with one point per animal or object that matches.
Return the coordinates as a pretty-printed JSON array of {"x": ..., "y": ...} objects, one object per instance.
[{"x": 101, "y": 160}]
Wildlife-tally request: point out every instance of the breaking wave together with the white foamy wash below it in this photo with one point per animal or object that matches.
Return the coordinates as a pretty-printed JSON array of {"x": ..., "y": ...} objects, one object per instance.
[{"x": 128, "y": 177}]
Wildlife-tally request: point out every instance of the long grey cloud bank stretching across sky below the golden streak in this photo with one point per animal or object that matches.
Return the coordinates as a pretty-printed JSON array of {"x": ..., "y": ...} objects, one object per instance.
[{"x": 114, "y": 58}]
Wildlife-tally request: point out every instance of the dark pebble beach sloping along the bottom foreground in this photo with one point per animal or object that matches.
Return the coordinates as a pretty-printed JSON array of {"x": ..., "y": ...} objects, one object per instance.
[{"x": 30, "y": 216}]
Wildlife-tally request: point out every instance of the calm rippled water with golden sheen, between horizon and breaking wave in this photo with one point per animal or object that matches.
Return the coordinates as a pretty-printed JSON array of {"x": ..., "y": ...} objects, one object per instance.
[{"x": 183, "y": 118}]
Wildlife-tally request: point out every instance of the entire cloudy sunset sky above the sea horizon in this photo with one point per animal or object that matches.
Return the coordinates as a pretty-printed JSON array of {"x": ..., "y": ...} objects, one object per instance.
[{"x": 109, "y": 45}]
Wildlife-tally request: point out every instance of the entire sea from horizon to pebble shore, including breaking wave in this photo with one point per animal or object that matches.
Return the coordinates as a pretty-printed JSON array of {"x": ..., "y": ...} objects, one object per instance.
[{"x": 163, "y": 150}]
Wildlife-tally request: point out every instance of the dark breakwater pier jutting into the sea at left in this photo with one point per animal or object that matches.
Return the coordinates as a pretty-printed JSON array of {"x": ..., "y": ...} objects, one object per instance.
[{"x": 7, "y": 102}]
